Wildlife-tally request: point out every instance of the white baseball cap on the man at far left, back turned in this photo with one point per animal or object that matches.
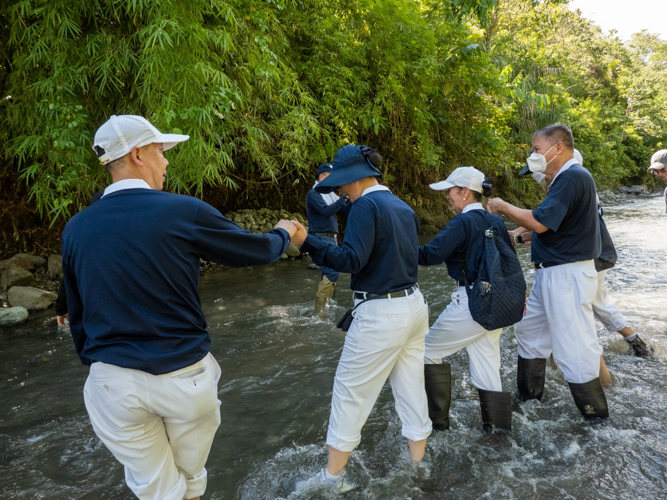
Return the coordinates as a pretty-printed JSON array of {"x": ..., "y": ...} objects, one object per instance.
[{"x": 118, "y": 135}]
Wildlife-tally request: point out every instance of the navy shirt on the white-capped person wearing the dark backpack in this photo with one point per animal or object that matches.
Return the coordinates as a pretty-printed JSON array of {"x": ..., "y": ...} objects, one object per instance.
[{"x": 463, "y": 239}]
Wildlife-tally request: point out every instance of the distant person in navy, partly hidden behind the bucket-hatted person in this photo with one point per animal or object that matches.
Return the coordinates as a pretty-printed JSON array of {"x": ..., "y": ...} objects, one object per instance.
[{"x": 321, "y": 210}]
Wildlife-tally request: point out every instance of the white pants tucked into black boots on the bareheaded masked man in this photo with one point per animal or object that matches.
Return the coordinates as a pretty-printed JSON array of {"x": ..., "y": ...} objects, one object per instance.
[{"x": 559, "y": 319}]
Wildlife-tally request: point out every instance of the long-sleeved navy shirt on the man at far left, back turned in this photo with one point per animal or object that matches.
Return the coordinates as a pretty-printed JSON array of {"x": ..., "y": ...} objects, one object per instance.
[{"x": 131, "y": 271}]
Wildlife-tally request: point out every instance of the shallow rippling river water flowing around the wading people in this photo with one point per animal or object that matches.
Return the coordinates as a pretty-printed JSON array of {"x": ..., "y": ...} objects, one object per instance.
[{"x": 278, "y": 364}]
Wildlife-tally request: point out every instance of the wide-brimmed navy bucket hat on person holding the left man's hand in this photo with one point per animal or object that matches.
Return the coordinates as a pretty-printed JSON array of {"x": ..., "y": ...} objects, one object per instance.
[{"x": 351, "y": 164}]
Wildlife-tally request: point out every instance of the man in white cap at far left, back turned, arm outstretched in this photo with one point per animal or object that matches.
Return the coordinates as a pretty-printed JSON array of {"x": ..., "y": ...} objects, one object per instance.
[{"x": 131, "y": 270}]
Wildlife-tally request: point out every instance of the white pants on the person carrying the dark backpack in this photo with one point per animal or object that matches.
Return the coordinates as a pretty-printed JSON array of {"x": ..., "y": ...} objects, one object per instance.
[{"x": 455, "y": 330}]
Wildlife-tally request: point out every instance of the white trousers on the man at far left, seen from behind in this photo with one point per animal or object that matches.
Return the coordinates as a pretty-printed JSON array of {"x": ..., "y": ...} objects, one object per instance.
[{"x": 159, "y": 427}]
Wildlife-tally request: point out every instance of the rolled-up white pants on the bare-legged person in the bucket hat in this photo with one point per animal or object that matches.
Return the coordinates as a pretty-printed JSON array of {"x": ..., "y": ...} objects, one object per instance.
[{"x": 385, "y": 340}]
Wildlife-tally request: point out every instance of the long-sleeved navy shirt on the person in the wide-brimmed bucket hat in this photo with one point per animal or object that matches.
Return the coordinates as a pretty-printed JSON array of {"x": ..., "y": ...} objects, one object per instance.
[{"x": 381, "y": 245}]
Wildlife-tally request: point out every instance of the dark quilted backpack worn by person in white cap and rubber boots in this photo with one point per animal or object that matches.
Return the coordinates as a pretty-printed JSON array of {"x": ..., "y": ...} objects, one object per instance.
[{"x": 498, "y": 301}]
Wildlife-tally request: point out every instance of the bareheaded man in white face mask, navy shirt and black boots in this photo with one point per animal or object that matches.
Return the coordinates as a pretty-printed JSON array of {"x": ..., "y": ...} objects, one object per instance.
[{"x": 559, "y": 312}]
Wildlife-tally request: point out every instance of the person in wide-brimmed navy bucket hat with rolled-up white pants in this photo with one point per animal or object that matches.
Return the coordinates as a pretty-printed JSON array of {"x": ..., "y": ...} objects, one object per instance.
[{"x": 386, "y": 329}]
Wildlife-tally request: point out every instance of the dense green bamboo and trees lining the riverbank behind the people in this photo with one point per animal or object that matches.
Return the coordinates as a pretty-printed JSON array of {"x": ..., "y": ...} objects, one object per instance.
[{"x": 270, "y": 89}]
